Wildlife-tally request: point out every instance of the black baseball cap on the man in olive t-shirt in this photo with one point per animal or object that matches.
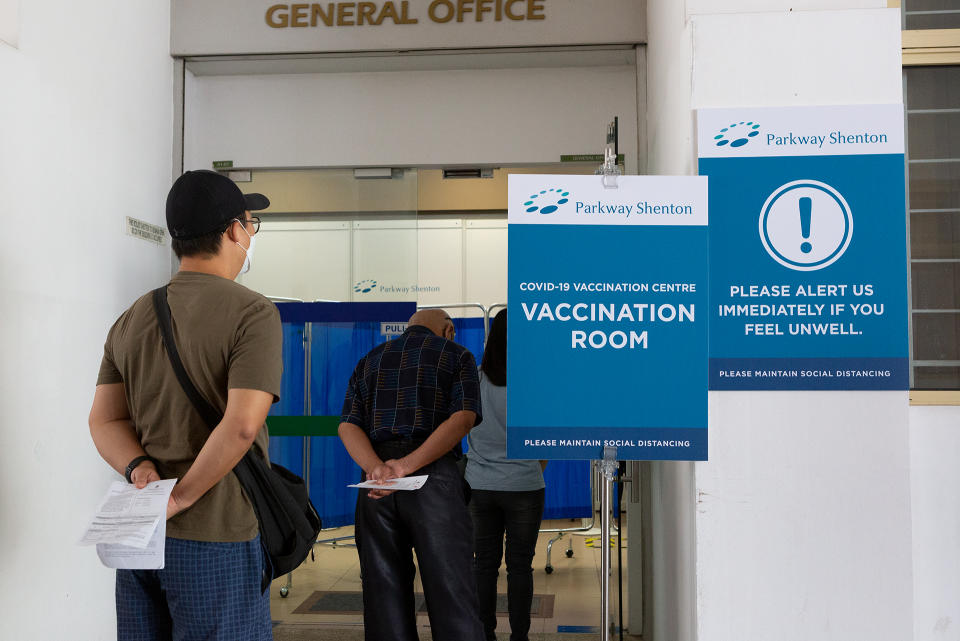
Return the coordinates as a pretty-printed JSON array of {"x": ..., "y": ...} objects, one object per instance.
[{"x": 203, "y": 201}]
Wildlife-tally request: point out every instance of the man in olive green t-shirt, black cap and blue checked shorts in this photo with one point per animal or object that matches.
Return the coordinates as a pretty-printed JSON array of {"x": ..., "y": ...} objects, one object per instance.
[{"x": 143, "y": 424}]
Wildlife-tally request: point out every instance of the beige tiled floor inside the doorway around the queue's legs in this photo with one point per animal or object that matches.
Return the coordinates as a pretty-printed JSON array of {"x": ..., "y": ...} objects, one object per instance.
[{"x": 575, "y": 582}]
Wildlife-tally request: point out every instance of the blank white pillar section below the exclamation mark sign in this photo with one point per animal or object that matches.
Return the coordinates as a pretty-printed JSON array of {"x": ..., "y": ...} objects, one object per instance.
[{"x": 803, "y": 517}]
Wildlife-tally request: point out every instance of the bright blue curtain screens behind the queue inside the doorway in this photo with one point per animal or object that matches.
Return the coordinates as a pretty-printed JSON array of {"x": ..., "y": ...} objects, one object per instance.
[{"x": 336, "y": 346}]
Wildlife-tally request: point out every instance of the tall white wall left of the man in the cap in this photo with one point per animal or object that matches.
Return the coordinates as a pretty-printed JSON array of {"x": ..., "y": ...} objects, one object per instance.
[{"x": 85, "y": 124}]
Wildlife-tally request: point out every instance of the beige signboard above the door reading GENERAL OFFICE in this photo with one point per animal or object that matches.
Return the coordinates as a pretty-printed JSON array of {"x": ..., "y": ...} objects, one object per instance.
[{"x": 258, "y": 27}]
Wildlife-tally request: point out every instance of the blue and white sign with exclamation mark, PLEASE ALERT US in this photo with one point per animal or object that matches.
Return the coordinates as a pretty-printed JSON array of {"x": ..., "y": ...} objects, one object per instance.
[{"x": 807, "y": 260}]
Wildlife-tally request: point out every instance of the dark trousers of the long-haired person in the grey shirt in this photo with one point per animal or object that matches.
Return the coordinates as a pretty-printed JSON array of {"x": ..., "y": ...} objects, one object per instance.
[{"x": 518, "y": 515}]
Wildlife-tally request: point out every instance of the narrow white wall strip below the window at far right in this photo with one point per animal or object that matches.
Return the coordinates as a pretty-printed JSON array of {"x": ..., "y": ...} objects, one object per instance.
[{"x": 934, "y": 443}]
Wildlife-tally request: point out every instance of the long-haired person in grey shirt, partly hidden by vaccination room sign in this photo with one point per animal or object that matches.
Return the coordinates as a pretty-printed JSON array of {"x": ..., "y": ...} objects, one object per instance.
[{"x": 507, "y": 497}]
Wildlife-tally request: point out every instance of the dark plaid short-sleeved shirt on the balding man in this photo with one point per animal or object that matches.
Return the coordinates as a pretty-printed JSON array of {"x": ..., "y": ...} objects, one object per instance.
[{"x": 408, "y": 386}]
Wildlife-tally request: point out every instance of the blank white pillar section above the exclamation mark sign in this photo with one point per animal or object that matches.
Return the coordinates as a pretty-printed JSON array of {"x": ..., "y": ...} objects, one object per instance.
[{"x": 839, "y": 57}]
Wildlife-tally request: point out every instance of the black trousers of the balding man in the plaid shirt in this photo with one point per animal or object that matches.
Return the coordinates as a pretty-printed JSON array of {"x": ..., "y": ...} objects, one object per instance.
[{"x": 433, "y": 521}]
